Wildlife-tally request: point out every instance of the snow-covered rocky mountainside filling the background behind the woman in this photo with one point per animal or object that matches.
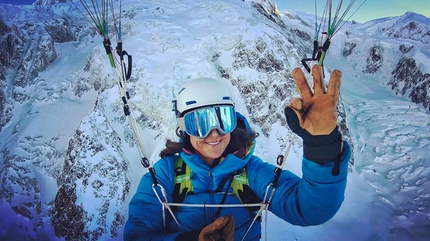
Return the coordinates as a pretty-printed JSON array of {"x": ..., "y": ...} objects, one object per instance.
[{"x": 70, "y": 163}]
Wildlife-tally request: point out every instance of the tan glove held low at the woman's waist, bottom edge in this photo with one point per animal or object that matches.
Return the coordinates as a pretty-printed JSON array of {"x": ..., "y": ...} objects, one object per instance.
[{"x": 222, "y": 229}]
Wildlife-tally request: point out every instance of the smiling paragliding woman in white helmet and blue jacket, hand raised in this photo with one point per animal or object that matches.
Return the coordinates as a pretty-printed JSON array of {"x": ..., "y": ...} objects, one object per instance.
[{"x": 216, "y": 141}]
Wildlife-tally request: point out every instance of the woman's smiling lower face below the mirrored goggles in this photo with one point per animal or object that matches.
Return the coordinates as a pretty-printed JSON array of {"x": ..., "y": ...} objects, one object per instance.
[{"x": 211, "y": 147}]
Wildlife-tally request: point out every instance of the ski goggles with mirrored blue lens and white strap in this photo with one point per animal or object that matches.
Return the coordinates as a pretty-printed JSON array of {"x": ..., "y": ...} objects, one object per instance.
[{"x": 201, "y": 122}]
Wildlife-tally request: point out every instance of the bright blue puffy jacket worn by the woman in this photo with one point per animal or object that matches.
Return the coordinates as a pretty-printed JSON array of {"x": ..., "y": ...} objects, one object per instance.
[{"x": 310, "y": 200}]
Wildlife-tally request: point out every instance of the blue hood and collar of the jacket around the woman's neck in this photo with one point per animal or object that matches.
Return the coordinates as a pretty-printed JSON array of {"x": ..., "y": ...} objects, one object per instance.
[{"x": 232, "y": 162}]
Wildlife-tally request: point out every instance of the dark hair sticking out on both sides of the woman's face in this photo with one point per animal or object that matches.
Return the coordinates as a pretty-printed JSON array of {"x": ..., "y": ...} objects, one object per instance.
[{"x": 240, "y": 138}]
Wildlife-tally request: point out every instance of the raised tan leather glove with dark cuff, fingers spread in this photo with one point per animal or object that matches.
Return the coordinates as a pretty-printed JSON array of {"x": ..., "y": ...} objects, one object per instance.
[{"x": 314, "y": 118}]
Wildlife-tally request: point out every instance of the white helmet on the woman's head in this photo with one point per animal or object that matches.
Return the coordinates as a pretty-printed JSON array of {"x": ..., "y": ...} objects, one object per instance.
[{"x": 202, "y": 92}]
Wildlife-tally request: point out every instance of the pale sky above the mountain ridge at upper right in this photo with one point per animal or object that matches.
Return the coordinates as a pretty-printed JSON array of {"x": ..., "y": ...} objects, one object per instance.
[{"x": 370, "y": 10}]
